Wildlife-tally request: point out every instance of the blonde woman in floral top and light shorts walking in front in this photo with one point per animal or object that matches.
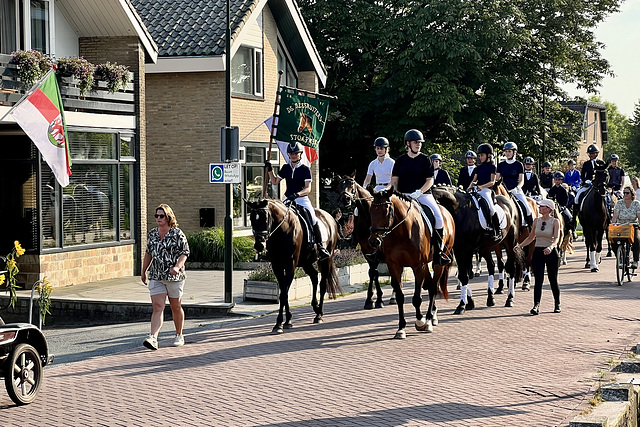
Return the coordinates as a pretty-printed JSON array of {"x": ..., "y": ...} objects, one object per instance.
[{"x": 167, "y": 251}]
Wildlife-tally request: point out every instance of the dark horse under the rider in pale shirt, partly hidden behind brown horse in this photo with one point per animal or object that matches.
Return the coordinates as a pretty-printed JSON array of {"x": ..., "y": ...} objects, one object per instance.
[{"x": 352, "y": 193}]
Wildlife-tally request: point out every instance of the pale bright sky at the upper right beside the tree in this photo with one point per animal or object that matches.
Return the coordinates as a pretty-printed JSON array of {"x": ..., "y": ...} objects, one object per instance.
[{"x": 620, "y": 33}]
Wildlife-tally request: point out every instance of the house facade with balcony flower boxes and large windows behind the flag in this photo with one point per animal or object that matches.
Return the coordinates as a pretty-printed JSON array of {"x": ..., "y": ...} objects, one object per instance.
[{"x": 94, "y": 228}]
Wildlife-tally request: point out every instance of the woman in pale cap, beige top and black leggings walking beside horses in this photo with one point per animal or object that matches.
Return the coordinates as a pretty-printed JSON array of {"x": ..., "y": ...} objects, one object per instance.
[{"x": 546, "y": 233}]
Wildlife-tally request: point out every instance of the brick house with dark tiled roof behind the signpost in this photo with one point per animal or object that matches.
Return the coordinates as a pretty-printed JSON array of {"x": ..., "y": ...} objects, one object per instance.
[{"x": 186, "y": 106}]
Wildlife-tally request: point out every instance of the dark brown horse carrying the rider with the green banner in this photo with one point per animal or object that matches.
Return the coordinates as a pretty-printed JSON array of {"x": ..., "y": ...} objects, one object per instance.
[{"x": 277, "y": 228}]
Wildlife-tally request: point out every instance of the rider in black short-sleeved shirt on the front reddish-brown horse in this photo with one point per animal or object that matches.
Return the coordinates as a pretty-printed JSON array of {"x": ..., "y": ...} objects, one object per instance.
[{"x": 413, "y": 175}]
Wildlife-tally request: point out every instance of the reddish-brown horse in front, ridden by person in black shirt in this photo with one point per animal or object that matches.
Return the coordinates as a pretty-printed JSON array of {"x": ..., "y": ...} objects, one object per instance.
[{"x": 398, "y": 228}]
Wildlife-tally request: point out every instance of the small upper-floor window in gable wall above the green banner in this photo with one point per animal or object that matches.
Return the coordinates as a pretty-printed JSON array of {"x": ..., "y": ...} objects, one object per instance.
[{"x": 247, "y": 71}]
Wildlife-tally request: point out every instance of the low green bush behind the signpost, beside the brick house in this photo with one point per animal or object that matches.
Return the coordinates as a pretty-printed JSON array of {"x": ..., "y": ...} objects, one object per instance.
[{"x": 208, "y": 246}]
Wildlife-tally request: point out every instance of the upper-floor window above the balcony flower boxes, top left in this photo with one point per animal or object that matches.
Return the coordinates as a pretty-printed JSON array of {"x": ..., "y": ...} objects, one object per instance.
[{"x": 25, "y": 24}]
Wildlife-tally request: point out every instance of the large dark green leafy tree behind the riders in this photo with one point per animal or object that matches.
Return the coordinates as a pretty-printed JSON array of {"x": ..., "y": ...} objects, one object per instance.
[{"x": 462, "y": 72}]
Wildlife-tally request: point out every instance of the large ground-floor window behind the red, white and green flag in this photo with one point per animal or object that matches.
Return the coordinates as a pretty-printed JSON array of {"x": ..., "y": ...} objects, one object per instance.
[{"x": 97, "y": 205}]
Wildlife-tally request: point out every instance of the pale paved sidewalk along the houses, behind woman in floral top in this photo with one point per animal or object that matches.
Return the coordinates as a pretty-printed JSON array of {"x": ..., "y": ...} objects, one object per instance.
[{"x": 127, "y": 299}]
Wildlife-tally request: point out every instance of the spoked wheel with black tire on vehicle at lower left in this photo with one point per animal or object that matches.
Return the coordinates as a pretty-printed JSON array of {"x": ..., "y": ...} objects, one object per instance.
[{"x": 23, "y": 374}]
